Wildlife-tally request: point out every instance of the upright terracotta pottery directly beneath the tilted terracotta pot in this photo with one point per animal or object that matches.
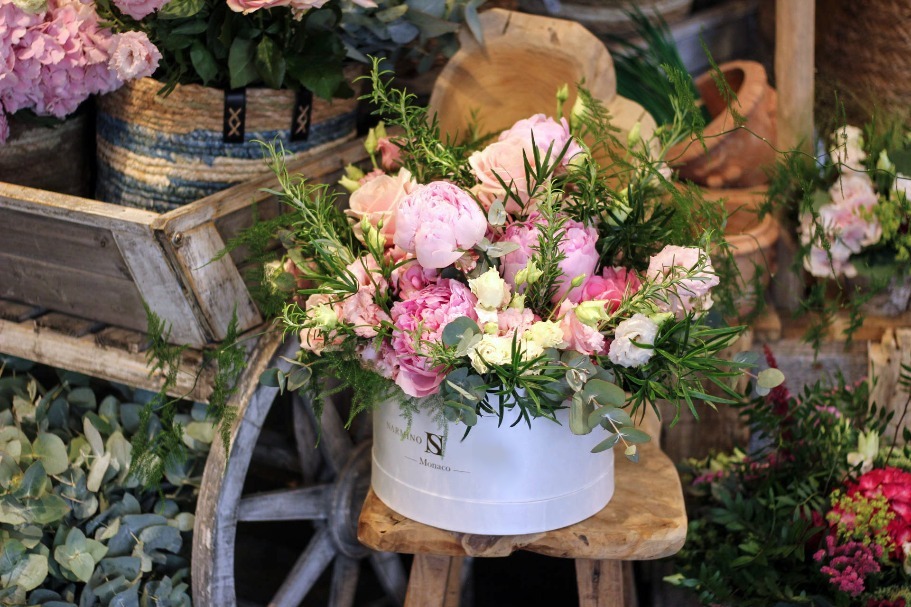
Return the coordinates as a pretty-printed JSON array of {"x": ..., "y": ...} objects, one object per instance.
[{"x": 752, "y": 241}]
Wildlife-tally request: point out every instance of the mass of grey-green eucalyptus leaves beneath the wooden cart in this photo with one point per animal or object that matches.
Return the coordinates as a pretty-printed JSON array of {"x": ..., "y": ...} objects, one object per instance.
[{"x": 77, "y": 528}]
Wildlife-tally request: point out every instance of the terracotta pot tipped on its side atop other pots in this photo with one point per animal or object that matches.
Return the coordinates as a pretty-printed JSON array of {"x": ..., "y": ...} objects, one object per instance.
[{"x": 735, "y": 157}]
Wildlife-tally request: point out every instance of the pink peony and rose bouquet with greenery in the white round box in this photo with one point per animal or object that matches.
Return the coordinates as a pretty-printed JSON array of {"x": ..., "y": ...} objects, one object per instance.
[{"x": 512, "y": 275}]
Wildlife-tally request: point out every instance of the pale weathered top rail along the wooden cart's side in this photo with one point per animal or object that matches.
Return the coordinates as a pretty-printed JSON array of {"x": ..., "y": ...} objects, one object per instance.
[{"x": 73, "y": 209}]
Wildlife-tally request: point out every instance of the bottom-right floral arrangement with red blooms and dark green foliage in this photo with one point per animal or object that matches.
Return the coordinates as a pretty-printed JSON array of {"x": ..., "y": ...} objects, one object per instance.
[{"x": 819, "y": 514}]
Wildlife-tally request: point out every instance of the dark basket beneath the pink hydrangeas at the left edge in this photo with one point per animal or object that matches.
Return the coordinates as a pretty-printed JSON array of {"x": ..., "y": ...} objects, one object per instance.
[{"x": 53, "y": 158}]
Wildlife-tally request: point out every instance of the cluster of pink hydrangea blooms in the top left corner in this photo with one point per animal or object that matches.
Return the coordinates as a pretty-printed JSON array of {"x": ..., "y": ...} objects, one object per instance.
[{"x": 54, "y": 54}]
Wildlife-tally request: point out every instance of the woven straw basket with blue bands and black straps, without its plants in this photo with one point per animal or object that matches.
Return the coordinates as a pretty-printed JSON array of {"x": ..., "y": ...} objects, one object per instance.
[{"x": 159, "y": 152}]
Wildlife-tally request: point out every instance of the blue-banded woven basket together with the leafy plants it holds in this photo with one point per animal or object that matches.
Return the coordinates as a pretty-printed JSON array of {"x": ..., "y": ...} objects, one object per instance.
[{"x": 235, "y": 71}]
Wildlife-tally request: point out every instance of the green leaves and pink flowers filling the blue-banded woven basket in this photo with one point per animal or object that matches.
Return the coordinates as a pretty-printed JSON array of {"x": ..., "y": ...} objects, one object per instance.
[{"x": 285, "y": 44}]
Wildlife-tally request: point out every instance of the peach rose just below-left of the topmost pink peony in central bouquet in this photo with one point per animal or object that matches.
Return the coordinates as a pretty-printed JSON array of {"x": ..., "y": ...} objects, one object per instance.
[{"x": 502, "y": 160}]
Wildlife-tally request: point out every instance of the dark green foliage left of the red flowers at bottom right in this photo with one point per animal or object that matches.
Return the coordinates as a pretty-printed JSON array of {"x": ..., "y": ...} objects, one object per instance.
[{"x": 757, "y": 519}]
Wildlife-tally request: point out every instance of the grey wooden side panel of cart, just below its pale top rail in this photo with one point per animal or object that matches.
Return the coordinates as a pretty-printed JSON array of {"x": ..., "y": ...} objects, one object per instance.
[{"x": 61, "y": 242}]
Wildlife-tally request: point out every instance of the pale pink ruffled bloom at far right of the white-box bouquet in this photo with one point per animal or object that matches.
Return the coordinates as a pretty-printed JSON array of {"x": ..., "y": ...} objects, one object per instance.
[{"x": 688, "y": 294}]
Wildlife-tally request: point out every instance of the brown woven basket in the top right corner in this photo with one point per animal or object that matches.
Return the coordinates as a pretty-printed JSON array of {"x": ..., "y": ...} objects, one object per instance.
[{"x": 864, "y": 55}]
